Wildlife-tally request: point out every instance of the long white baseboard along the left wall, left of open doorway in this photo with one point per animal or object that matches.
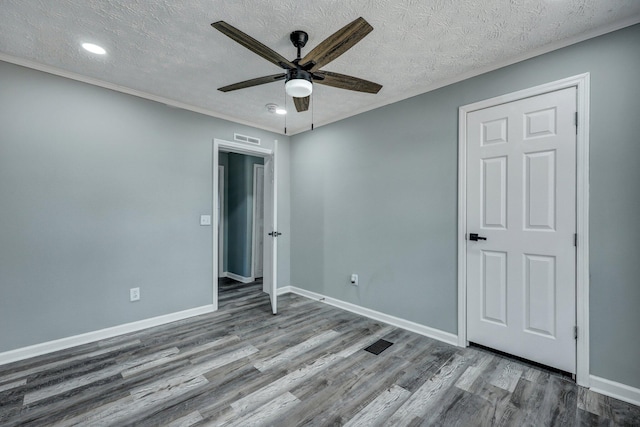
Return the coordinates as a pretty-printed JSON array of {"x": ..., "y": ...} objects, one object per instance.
[{"x": 76, "y": 340}]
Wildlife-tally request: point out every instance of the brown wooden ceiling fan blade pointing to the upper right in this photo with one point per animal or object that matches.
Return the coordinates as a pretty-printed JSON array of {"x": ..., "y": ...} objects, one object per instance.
[{"x": 336, "y": 44}]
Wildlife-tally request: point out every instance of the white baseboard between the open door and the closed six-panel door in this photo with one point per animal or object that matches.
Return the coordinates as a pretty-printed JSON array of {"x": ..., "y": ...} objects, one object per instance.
[{"x": 437, "y": 334}]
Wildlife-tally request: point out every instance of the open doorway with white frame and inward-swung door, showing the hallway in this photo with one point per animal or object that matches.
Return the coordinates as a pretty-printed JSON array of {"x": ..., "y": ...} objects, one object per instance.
[{"x": 245, "y": 208}]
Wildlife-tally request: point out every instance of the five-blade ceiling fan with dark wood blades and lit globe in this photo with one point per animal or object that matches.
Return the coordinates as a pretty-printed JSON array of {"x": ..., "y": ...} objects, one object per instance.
[{"x": 301, "y": 73}]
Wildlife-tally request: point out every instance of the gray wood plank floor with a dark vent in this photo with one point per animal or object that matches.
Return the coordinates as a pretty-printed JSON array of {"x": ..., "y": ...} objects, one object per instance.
[{"x": 242, "y": 366}]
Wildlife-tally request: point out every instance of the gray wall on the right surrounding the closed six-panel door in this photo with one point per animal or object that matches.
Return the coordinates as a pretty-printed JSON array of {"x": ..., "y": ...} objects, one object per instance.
[{"x": 376, "y": 194}]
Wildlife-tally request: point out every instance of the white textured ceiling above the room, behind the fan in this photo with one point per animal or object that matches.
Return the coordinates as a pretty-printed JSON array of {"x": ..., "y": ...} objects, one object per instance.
[{"x": 168, "y": 49}]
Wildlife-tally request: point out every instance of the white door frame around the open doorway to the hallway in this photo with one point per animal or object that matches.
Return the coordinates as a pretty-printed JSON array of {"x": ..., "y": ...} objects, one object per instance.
[{"x": 231, "y": 147}]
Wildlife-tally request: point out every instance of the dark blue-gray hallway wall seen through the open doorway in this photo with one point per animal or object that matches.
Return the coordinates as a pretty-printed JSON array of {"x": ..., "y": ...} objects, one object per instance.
[{"x": 239, "y": 210}]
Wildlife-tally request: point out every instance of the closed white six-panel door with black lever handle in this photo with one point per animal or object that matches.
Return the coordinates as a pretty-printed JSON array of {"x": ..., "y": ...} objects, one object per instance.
[{"x": 521, "y": 197}]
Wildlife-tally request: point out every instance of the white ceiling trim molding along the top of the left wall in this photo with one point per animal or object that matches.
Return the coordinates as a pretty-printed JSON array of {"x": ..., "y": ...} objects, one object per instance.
[{"x": 123, "y": 89}]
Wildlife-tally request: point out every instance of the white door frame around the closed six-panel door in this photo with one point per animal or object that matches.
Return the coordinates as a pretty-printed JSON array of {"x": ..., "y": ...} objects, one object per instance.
[{"x": 581, "y": 82}]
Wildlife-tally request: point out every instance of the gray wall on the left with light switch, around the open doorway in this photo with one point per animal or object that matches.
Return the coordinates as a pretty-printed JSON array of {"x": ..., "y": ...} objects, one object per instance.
[{"x": 100, "y": 192}]
